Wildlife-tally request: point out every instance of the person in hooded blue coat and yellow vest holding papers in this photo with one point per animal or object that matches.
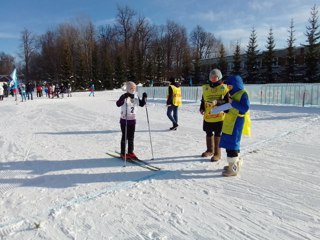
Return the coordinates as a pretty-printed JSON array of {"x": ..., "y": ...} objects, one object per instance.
[{"x": 236, "y": 123}]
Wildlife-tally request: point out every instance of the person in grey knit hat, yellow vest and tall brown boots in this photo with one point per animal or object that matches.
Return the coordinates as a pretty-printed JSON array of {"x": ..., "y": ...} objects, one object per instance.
[{"x": 214, "y": 94}]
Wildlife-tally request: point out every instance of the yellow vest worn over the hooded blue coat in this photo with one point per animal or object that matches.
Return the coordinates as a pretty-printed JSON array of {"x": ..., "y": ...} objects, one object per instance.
[{"x": 231, "y": 117}]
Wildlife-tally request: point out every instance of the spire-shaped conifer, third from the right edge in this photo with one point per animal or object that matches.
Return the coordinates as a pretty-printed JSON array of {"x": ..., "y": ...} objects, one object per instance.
[{"x": 269, "y": 57}]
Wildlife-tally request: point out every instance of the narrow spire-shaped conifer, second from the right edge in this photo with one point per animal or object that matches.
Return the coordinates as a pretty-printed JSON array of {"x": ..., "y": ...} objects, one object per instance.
[{"x": 290, "y": 54}]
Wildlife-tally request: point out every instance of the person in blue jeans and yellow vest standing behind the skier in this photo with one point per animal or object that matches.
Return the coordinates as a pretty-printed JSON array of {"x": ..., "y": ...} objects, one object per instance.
[{"x": 174, "y": 100}]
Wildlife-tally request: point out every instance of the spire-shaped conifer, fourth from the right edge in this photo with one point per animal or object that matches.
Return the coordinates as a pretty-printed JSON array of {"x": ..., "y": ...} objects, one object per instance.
[{"x": 252, "y": 53}]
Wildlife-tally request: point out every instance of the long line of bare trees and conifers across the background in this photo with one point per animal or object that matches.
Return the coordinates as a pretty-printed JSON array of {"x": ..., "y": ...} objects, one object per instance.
[{"x": 134, "y": 49}]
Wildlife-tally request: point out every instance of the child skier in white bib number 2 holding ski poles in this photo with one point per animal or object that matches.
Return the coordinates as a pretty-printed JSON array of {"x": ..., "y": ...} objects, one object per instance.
[{"x": 128, "y": 103}]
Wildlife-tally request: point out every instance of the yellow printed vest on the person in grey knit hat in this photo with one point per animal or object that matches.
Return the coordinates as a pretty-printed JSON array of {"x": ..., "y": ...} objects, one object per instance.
[{"x": 210, "y": 94}]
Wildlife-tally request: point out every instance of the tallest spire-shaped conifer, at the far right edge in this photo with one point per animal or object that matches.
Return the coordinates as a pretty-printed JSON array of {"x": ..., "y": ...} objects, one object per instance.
[{"x": 313, "y": 36}]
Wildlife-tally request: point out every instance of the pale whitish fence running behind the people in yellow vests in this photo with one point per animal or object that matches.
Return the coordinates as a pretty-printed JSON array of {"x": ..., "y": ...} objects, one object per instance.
[{"x": 282, "y": 94}]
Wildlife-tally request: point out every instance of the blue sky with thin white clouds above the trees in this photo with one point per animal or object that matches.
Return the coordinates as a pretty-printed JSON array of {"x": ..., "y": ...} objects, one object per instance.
[{"x": 228, "y": 20}]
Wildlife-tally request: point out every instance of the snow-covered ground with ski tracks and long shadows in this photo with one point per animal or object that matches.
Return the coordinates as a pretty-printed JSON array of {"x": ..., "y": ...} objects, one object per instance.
[{"x": 56, "y": 182}]
